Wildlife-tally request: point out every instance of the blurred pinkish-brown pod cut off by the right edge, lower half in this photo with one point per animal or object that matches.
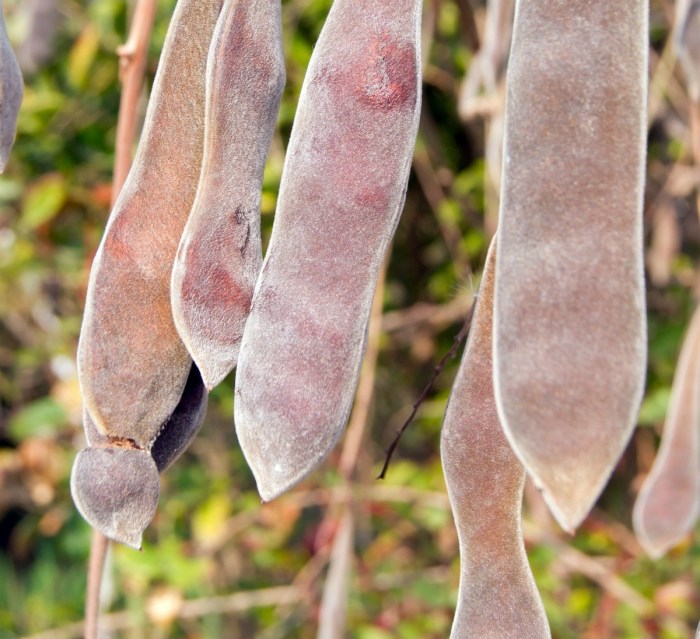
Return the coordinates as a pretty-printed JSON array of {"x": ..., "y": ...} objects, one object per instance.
[{"x": 667, "y": 506}]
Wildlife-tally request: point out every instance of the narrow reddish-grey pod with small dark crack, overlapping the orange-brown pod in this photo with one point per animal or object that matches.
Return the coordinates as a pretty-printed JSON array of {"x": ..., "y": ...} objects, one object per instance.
[{"x": 220, "y": 256}]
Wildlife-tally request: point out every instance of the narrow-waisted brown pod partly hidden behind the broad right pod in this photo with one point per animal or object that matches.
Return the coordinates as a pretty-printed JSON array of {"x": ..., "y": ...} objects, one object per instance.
[{"x": 497, "y": 593}]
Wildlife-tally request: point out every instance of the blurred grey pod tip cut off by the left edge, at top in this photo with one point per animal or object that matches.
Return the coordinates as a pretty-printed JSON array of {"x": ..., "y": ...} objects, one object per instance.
[{"x": 11, "y": 91}]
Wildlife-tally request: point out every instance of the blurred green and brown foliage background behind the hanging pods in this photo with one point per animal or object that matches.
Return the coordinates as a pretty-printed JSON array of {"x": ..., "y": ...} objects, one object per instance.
[{"x": 383, "y": 554}]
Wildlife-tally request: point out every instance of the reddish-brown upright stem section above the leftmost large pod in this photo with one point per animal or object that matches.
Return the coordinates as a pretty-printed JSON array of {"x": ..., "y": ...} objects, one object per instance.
[{"x": 132, "y": 66}]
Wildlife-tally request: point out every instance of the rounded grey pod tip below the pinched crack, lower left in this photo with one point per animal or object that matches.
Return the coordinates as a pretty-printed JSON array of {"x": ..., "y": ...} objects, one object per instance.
[{"x": 116, "y": 491}]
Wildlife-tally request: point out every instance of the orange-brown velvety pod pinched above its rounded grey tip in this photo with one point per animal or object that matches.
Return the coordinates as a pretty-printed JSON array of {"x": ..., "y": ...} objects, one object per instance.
[{"x": 132, "y": 365}]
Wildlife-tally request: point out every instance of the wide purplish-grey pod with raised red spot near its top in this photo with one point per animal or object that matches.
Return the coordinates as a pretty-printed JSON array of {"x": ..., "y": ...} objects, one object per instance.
[{"x": 342, "y": 192}]
